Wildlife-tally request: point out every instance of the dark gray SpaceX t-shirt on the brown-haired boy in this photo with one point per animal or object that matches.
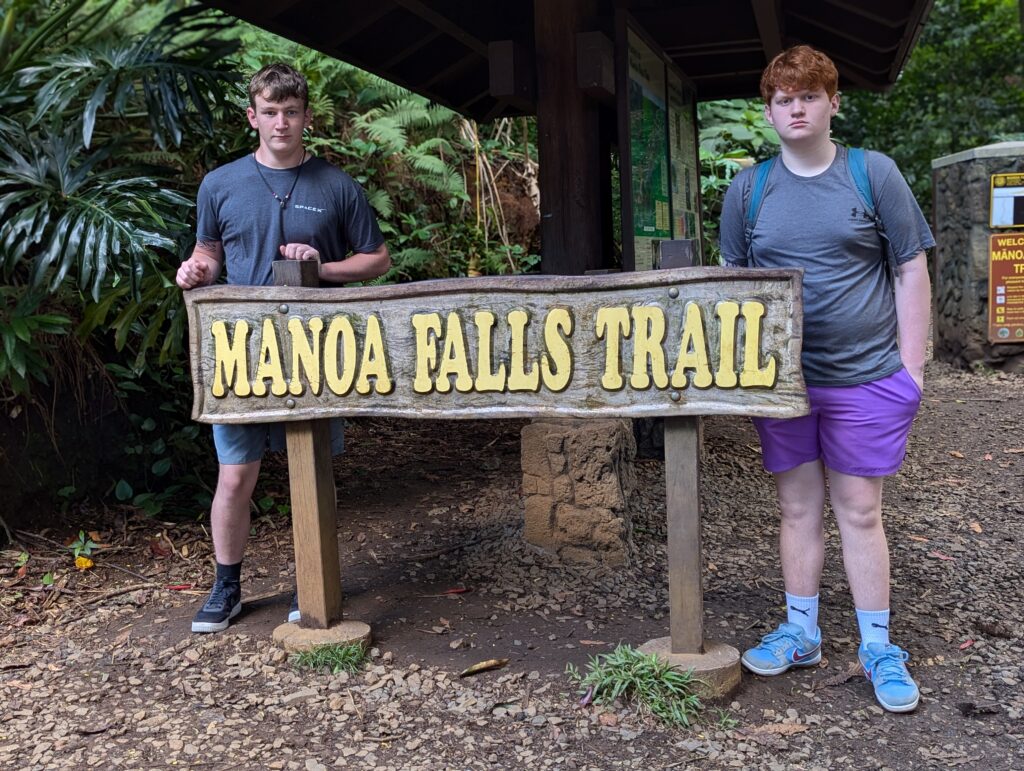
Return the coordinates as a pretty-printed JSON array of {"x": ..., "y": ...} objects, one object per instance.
[{"x": 327, "y": 210}]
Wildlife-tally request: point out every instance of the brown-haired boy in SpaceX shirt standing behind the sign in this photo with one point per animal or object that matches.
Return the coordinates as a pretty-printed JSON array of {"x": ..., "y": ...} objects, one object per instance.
[{"x": 277, "y": 203}]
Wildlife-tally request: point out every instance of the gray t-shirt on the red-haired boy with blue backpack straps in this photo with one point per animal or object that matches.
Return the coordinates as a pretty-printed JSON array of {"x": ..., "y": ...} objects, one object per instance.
[{"x": 819, "y": 224}]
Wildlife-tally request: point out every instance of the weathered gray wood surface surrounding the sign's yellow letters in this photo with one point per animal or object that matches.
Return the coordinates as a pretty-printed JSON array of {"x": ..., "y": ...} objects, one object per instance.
[{"x": 582, "y": 297}]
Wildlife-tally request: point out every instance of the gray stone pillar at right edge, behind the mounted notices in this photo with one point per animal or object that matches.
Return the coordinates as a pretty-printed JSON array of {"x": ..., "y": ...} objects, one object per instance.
[{"x": 961, "y": 186}]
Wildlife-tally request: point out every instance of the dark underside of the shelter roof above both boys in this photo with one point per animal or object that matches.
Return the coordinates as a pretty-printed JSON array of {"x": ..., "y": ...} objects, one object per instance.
[{"x": 441, "y": 49}]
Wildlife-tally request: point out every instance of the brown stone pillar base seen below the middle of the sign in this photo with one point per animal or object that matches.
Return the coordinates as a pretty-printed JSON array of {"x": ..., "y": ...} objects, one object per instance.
[{"x": 578, "y": 479}]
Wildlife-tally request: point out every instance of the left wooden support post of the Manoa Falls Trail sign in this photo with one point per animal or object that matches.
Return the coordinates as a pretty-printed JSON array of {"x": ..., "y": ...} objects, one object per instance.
[{"x": 315, "y": 506}]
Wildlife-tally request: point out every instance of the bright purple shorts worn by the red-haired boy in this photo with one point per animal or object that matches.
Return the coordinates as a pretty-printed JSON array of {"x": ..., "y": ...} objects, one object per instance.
[{"x": 860, "y": 431}]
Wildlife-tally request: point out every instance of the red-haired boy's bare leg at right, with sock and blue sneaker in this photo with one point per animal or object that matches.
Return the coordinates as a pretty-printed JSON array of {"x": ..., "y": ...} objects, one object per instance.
[{"x": 858, "y": 503}]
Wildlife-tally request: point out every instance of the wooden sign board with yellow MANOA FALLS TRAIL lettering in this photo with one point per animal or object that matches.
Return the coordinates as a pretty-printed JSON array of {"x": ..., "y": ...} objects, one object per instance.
[{"x": 690, "y": 341}]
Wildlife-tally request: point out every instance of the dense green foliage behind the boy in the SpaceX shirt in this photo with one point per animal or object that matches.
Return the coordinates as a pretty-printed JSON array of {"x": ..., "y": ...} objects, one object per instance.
[{"x": 112, "y": 112}]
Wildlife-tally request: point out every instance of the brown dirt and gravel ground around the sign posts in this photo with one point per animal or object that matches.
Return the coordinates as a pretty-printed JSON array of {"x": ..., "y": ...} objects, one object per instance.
[{"x": 103, "y": 673}]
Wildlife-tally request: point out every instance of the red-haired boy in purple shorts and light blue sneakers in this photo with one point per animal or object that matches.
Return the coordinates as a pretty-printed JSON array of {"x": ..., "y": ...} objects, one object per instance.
[{"x": 867, "y": 310}]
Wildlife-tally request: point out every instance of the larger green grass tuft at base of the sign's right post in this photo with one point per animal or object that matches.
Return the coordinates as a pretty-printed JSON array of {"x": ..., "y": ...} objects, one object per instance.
[{"x": 656, "y": 687}]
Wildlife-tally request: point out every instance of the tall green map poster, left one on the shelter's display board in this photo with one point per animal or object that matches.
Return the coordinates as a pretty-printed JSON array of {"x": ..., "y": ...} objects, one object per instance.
[{"x": 649, "y": 152}]
